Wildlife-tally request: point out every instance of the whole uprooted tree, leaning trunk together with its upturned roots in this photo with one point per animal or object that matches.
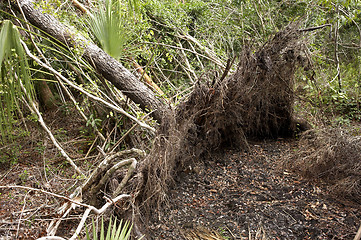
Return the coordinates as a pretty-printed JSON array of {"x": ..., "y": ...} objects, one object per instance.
[{"x": 254, "y": 102}]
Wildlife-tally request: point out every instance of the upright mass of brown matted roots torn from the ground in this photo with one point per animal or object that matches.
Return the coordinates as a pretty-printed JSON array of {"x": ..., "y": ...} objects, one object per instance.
[{"x": 255, "y": 101}]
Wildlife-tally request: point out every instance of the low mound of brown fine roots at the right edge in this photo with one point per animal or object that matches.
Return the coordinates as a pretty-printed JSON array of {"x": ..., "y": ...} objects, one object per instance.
[{"x": 332, "y": 156}]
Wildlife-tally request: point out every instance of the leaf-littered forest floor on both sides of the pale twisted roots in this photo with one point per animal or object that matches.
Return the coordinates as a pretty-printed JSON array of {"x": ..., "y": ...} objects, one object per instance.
[{"x": 232, "y": 195}]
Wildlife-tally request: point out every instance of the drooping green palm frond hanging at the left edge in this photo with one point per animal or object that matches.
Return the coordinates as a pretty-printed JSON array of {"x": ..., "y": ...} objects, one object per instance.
[{"x": 14, "y": 73}]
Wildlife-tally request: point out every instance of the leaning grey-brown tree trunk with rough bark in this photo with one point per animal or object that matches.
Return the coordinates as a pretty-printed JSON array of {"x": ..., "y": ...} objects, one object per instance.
[{"x": 108, "y": 67}]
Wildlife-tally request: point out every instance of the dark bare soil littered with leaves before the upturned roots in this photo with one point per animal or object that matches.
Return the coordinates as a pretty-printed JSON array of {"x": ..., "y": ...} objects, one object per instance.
[{"x": 245, "y": 195}]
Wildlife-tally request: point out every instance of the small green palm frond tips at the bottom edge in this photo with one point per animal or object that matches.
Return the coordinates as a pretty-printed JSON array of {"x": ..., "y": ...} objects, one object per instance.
[{"x": 114, "y": 232}]
